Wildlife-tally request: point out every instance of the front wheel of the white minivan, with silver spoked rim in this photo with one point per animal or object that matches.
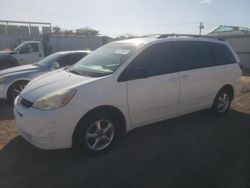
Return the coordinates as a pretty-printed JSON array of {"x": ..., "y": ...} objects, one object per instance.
[{"x": 97, "y": 133}]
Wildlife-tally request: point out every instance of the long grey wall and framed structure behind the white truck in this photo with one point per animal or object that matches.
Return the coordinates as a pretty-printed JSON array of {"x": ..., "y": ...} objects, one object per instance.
[{"x": 13, "y": 33}]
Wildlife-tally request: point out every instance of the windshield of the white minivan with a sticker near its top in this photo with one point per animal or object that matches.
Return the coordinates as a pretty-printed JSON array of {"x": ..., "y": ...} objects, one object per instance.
[{"x": 105, "y": 60}]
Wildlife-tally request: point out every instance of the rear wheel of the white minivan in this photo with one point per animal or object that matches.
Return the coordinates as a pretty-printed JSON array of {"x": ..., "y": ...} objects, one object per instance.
[{"x": 222, "y": 102}]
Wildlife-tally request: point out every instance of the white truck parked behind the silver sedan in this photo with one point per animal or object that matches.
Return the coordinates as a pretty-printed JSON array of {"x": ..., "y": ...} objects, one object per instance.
[{"x": 26, "y": 53}]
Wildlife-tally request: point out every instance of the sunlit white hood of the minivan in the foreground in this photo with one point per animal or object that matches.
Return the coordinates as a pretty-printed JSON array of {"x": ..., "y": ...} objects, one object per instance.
[{"x": 51, "y": 82}]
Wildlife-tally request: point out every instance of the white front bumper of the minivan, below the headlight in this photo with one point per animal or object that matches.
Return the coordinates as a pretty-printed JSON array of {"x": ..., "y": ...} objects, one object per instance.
[{"x": 48, "y": 129}]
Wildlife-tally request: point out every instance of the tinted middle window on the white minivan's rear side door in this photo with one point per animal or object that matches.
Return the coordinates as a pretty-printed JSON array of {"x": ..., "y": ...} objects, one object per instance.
[{"x": 192, "y": 55}]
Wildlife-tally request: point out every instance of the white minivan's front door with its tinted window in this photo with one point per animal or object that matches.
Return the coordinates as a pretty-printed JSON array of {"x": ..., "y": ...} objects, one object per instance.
[{"x": 155, "y": 97}]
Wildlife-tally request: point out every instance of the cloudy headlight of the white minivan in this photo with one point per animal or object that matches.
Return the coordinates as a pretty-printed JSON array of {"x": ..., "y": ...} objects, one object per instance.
[{"x": 57, "y": 99}]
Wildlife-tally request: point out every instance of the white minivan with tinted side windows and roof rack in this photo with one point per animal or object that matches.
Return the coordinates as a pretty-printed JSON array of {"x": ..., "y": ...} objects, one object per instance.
[{"x": 124, "y": 85}]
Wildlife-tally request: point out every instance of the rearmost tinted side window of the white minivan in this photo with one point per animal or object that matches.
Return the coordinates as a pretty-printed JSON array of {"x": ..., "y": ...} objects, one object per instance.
[{"x": 221, "y": 53}]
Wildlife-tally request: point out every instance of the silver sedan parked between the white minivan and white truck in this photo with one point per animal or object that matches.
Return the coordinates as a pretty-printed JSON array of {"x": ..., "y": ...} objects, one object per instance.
[{"x": 13, "y": 80}]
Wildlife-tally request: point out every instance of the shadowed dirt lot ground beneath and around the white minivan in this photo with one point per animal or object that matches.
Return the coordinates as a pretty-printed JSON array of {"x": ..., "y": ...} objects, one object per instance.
[{"x": 196, "y": 150}]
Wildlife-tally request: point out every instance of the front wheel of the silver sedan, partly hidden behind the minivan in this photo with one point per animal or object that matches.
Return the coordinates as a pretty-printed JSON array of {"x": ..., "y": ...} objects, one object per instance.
[{"x": 15, "y": 89}]
